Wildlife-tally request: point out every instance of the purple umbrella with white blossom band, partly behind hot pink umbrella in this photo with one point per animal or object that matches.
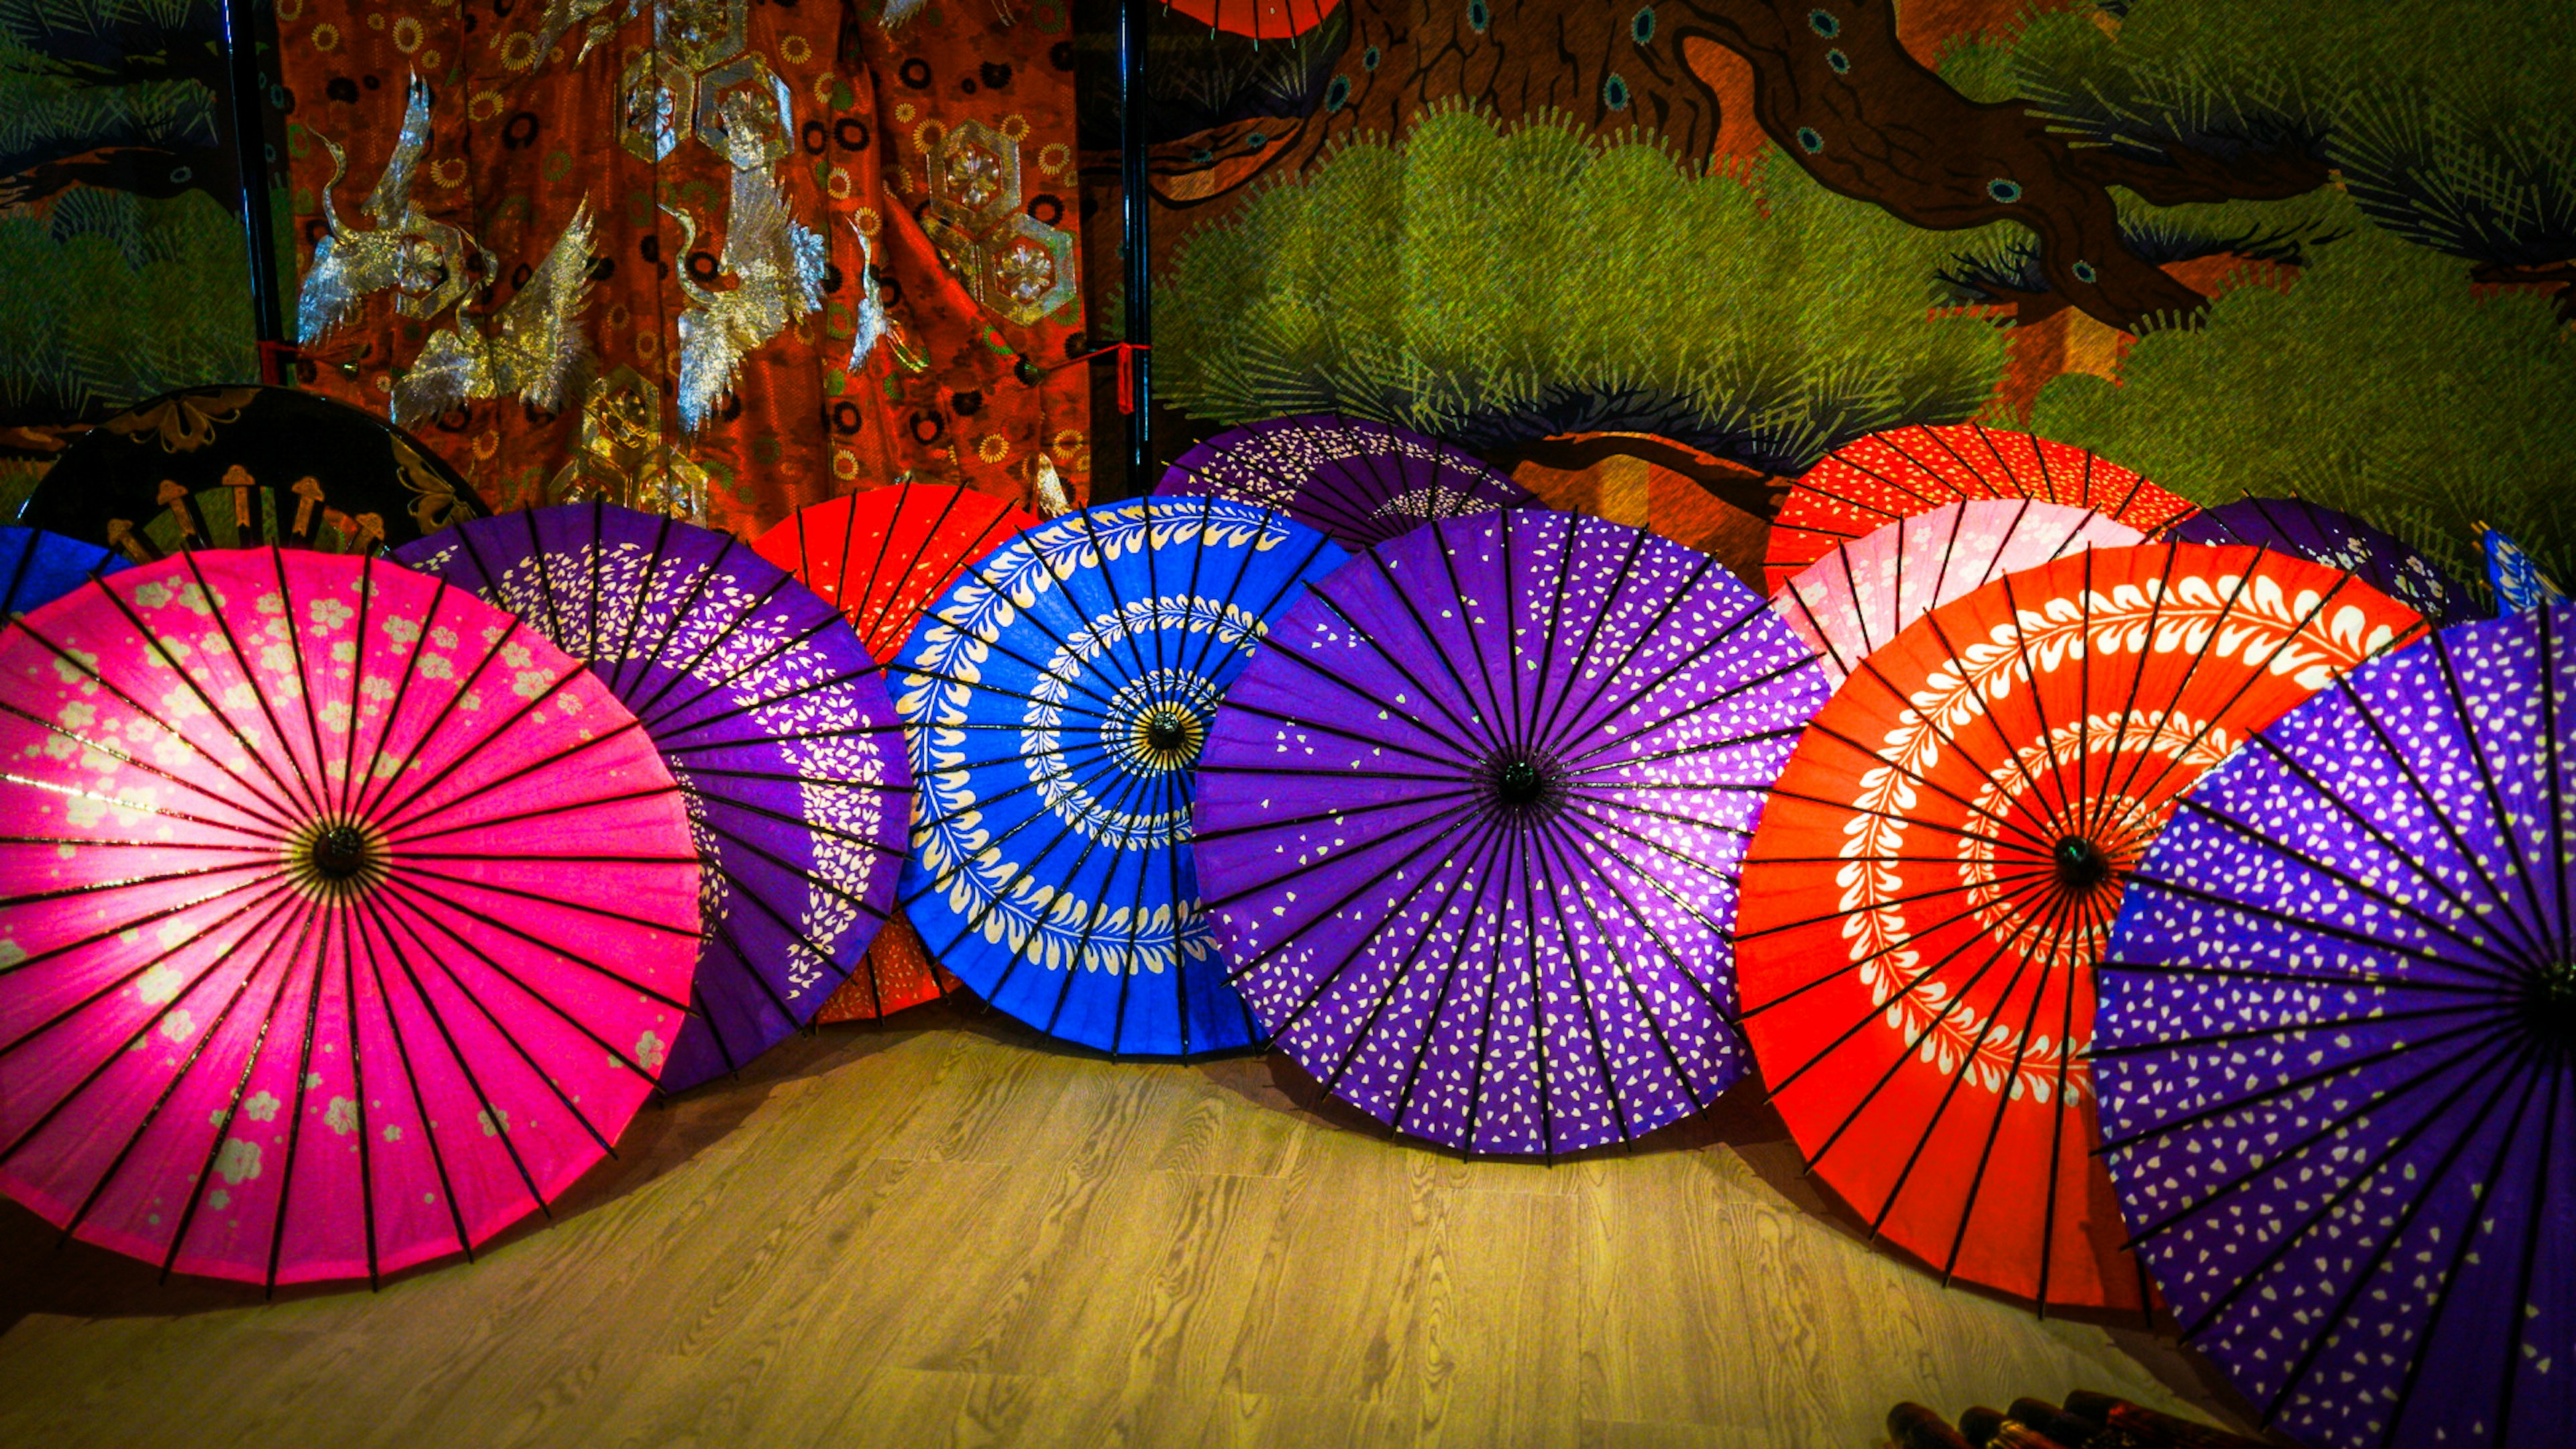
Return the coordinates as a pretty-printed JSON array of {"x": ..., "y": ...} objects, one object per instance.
[{"x": 766, "y": 710}]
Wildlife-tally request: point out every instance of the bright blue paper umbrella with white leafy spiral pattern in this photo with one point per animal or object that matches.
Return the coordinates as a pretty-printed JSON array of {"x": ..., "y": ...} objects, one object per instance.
[{"x": 1057, "y": 700}]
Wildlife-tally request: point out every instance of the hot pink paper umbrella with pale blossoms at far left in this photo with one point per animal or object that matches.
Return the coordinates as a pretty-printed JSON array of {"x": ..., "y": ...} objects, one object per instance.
[{"x": 344, "y": 922}]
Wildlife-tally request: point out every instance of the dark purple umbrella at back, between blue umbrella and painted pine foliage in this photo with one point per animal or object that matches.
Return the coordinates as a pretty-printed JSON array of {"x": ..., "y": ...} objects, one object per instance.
[{"x": 1354, "y": 481}]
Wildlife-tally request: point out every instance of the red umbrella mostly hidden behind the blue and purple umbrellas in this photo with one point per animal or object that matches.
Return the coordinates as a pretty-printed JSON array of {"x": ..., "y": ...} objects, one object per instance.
[{"x": 882, "y": 558}]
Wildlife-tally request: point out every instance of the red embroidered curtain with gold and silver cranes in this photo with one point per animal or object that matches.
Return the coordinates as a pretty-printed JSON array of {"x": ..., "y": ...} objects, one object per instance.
[{"x": 705, "y": 257}]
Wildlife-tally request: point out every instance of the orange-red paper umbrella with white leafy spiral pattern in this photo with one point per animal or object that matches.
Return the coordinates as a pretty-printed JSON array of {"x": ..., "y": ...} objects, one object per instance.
[{"x": 1933, "y": 878}]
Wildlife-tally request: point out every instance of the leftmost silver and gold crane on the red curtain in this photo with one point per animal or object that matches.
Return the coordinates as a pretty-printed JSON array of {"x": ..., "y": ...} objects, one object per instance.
[{"x": 406, "y": 251}]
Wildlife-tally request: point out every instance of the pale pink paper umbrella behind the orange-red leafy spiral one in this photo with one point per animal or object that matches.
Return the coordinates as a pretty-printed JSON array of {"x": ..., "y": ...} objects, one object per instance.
[{"x": 1864, "y": 594}]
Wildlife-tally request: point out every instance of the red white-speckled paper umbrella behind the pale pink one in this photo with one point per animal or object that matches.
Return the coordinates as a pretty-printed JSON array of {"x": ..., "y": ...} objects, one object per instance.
[{"x": 1866, "y": 486}]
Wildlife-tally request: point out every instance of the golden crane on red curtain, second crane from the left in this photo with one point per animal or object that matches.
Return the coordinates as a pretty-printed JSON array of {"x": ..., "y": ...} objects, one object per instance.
[{"x": 535, "y": 349}]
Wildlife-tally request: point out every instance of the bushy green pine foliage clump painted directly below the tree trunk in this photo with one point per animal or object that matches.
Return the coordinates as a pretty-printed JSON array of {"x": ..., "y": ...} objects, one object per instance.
[{"x": 1498, "y": 285}]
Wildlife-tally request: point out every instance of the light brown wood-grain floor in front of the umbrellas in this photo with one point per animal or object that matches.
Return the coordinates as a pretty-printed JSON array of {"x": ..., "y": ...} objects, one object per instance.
[{"x": 947, "y": 1234}]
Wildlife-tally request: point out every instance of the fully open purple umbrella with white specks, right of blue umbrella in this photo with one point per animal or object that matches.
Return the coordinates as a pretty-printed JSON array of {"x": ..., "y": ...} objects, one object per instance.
[{"x": 1472, "y": 826}]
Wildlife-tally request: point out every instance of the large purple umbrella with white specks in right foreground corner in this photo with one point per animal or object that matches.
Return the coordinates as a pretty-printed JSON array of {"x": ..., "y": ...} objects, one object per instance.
[{"x": 2338, "y": 1051}]
